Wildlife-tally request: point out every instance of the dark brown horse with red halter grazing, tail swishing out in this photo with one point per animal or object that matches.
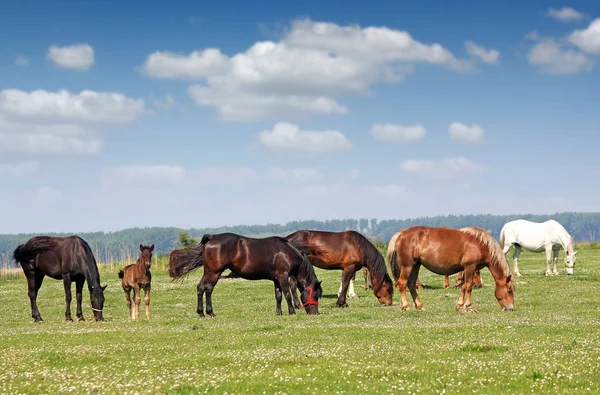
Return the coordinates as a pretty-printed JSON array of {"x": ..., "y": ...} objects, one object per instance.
[{"x": 270, "y": 258}]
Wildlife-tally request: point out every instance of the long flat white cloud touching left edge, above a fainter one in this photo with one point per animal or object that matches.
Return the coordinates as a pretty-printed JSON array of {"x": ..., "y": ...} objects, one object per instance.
[{"x": 64, "y": 106}]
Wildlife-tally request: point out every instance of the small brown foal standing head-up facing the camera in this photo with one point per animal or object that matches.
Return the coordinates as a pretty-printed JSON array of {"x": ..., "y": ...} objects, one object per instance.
[{"x": 136, "y": 277}]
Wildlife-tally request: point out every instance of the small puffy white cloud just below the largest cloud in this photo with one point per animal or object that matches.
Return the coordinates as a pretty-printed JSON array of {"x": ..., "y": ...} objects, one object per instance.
[{"x": 288, "y": 136}]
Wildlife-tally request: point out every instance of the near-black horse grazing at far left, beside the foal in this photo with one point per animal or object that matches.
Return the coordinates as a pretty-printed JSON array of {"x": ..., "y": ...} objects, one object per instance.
[{"x": 61, "y": 258}]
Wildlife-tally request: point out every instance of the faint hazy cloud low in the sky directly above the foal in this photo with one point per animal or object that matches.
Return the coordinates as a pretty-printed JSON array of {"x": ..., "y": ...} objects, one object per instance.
[{"x": 145, "y": 176}]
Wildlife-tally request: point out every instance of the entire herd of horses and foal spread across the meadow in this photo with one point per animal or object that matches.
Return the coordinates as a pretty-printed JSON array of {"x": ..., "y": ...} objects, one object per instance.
[{"x": 289, "y": 262}]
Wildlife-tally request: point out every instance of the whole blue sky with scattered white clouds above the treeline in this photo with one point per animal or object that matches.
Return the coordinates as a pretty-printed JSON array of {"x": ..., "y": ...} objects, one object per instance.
[{"x": 194, "y": 114}]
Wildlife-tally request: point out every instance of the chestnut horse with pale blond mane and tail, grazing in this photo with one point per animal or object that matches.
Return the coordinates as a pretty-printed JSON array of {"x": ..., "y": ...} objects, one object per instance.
[{"x": 447, "y": 251}]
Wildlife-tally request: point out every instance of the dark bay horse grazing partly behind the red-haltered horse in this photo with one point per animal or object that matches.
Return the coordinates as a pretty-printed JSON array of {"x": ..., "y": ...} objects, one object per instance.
[{"x": 348, "y": 251}]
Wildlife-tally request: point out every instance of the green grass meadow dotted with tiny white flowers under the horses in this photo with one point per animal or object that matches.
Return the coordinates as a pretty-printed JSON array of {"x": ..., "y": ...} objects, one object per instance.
[{"x": 549, "y": 344}]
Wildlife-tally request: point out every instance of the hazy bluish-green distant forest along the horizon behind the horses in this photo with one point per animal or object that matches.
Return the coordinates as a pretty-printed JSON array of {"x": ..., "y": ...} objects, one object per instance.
[{"x": 123, "y": 245}]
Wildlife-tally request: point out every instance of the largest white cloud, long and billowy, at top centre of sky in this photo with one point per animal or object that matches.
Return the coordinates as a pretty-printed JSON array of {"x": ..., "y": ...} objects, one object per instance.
[{"x": 303, "y": 74}]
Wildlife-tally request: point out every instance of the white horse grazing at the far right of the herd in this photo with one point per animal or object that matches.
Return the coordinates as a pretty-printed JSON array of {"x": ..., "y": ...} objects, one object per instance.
[{"x": 547, "y": 236}]
